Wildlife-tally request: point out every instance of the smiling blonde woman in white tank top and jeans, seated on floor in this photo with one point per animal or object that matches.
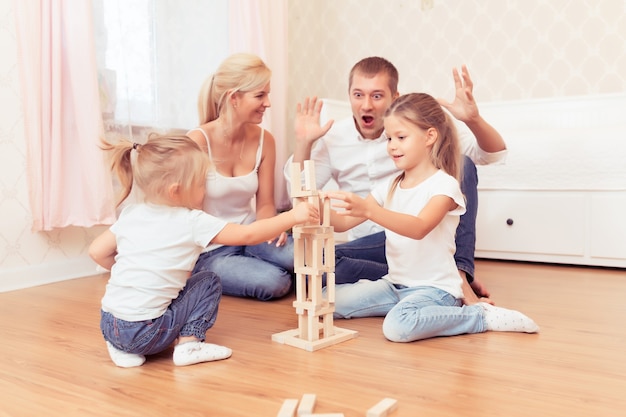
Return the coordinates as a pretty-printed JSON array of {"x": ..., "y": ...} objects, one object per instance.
[{"x": 240, "y": 184}]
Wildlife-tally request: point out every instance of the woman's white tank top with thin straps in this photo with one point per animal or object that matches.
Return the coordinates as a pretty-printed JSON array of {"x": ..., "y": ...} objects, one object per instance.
[{"x": 232, "y": 198}]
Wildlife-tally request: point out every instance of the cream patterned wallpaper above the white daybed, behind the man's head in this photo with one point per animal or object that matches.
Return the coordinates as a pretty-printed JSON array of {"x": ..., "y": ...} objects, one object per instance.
[{"x": 513, "y": 49}]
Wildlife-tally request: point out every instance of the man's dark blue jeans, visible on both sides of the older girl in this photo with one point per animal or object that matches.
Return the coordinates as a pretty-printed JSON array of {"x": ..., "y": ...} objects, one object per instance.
[{"x": 364, "y": 258}]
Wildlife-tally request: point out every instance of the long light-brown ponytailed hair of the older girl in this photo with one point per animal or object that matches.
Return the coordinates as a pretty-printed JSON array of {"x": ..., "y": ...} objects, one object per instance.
[{"x": 423, "y": 111}]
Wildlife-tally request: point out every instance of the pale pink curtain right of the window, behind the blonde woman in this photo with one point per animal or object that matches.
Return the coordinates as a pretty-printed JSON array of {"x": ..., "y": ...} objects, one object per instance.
[{"x": 260, "y": 27}]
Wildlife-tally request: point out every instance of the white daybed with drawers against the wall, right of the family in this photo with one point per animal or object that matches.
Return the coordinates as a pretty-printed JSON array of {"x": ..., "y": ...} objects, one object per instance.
[{"x": 561, "y": 196}]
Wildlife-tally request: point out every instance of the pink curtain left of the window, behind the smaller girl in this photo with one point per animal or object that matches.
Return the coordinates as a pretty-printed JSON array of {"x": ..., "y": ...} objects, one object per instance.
[{"x": 69, "y": 184}]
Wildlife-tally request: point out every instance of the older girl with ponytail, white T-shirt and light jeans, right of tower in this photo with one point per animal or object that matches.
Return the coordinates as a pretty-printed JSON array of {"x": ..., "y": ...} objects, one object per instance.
[{"x": 422, "y": 296}]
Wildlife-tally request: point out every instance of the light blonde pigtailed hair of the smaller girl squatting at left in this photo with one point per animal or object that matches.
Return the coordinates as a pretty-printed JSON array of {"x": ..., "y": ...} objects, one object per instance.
[{"x": 161, "y": 161}]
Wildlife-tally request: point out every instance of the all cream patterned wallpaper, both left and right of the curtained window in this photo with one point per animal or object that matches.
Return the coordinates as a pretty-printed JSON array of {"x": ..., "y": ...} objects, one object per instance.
[{"x": 514, "y": 50}]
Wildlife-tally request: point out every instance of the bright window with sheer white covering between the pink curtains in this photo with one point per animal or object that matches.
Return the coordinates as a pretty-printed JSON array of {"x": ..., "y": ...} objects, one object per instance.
[{"x": 153, "y": 56}]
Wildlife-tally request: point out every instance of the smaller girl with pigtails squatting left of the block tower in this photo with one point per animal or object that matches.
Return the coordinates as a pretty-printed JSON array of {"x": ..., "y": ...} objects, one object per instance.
[{"x": 152, "y": 299}]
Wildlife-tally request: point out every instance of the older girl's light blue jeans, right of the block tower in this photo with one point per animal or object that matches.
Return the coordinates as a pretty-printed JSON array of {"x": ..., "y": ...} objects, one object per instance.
[{"x": 410, "y": 313}]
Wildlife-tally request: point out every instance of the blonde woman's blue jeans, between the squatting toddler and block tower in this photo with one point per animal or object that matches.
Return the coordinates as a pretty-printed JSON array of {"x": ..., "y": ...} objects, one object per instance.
[{"x": 261, "y": 271}]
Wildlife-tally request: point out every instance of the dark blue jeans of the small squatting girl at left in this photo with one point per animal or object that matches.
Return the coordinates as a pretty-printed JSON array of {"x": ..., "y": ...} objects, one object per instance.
[{"x": 192, "y": 313}]
